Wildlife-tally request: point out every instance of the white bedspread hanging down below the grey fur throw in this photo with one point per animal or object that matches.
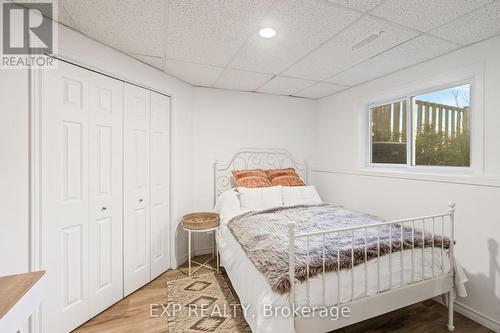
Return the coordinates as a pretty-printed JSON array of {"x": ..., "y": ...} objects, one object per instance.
[{"x": 254, "y": 291}]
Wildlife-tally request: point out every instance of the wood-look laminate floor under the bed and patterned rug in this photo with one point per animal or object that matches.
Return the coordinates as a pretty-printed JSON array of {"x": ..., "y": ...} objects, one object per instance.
[{"x": 132, "y": 314}]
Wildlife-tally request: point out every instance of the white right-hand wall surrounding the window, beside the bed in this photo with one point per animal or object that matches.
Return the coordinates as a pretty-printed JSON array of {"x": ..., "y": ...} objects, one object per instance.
[{"x": 340, "y": 178}]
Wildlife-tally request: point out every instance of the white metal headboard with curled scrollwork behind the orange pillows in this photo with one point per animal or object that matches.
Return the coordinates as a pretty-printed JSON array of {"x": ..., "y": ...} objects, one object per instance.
[{"x": 254, "y": 158}]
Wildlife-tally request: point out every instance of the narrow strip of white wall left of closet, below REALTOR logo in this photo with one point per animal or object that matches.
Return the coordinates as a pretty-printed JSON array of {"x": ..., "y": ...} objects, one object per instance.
[{"x": 14, "y": 186}]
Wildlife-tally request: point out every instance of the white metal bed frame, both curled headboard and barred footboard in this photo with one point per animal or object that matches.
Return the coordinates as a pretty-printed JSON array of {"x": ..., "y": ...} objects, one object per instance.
[{"x": 363, "y": 307}]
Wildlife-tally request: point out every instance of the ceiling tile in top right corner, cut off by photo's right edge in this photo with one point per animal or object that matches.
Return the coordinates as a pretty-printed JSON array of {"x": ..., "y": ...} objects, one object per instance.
[{"x": 473, "y": 27}]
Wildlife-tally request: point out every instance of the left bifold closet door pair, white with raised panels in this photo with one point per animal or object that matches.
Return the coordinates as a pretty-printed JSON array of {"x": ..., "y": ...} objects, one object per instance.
[{"x": 81, "y": 175}]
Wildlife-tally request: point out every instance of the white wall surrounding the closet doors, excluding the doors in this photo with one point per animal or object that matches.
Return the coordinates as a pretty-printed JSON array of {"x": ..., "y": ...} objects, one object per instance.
[{"x": 14, "y": 153}]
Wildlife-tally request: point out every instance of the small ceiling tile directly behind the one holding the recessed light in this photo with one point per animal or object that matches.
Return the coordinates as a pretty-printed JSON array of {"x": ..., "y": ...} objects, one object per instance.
[{"x": 241, "y": 80}]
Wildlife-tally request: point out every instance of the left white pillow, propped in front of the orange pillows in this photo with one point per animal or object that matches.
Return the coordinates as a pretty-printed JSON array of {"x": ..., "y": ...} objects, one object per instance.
[{"x": 260, "y": 198}]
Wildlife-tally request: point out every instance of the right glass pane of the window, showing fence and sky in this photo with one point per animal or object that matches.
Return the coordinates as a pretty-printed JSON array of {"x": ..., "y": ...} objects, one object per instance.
[{"x": 441, "y": 127}]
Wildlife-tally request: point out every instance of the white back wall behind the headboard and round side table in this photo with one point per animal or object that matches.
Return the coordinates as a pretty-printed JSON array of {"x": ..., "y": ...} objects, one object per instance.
[{"x": 225, "y": 121}]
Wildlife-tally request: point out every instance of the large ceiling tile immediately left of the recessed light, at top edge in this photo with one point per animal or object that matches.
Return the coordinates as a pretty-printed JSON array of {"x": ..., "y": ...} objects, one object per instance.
[{"x": 211, "y": 31}]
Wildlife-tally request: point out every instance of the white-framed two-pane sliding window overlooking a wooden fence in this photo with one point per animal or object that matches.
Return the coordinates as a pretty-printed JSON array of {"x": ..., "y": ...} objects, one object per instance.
[{"x": 438, "y": 124}]
